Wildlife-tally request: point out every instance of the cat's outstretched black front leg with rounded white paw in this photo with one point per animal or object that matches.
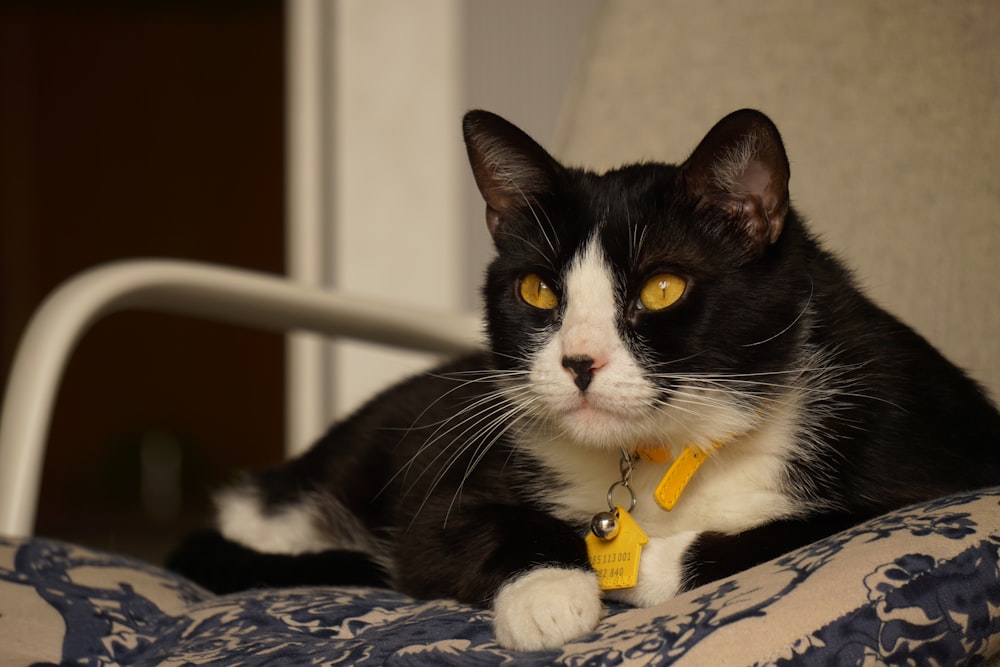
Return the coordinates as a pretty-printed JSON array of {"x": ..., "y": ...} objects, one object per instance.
[{"x": 529, "y": 566}]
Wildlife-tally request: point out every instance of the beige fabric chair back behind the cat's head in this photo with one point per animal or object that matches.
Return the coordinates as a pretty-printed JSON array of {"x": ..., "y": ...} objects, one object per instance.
[{"x": 890, "y": 112}]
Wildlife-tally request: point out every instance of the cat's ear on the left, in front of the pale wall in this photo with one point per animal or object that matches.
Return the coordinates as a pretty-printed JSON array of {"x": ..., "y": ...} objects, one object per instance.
[{"x": 510, "y": 168}]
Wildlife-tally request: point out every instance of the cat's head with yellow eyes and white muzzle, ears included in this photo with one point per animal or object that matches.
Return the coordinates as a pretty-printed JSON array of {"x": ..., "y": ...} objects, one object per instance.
[{"x": 650, "y": 305}]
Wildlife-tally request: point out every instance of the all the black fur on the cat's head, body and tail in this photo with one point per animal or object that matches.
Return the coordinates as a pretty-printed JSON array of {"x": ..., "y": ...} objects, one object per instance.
[{"x": 434, "y": 468}]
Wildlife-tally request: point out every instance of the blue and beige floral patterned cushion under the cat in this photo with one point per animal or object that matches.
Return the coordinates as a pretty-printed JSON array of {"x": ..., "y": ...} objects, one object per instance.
[{"x": 920, "y": 586}]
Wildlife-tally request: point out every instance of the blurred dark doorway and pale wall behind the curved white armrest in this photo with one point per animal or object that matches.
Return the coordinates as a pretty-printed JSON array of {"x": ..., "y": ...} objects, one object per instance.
[{"x": 134, "y": 129}]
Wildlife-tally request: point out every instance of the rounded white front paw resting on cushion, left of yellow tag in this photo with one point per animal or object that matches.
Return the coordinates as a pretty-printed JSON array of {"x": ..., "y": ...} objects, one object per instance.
[{"x": 546, "y": 608}]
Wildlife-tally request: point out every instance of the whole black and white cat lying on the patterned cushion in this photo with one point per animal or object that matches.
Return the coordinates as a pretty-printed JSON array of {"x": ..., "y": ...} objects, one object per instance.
[{"x": 651, "y": 314}]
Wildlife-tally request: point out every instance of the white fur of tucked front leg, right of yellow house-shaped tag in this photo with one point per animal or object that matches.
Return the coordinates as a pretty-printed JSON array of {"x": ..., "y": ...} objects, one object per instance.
[{"x": 660, "y": 571}]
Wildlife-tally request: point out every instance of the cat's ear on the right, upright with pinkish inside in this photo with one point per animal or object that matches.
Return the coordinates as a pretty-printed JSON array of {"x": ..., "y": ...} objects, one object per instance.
[{"x": 741, "y": 168}]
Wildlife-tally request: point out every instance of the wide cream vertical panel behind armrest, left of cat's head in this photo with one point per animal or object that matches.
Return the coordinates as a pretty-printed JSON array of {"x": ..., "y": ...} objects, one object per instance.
[{"x": 398, "y": 161}]
